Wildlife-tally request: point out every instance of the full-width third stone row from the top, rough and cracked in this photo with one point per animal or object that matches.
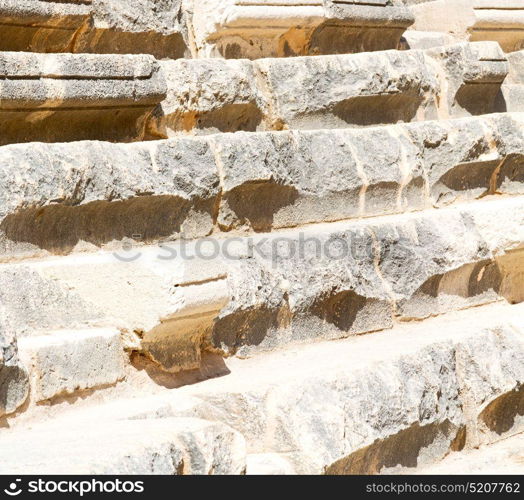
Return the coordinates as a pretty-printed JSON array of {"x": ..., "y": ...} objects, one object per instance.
[{"x": 58, "y": 198}]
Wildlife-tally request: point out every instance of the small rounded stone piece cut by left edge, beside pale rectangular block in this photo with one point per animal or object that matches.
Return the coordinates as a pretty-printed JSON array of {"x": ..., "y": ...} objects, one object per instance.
[{"x": 14, "y": 386}]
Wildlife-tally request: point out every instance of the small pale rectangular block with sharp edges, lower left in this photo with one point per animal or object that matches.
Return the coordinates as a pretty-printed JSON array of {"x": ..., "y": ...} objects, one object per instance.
[{"x": 64, "y": 362}]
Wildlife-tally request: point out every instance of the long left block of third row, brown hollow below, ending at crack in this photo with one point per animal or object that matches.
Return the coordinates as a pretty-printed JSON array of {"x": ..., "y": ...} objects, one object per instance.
[{"x": 61, "y": 194}]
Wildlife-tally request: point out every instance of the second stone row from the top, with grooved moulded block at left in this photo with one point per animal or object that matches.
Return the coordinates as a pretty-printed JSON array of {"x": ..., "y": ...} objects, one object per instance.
[{"x": 38, "y": 92}]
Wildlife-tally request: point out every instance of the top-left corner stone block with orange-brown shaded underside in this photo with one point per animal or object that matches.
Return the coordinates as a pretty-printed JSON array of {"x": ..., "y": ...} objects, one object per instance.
[{"x": 99, "y": 26}]
